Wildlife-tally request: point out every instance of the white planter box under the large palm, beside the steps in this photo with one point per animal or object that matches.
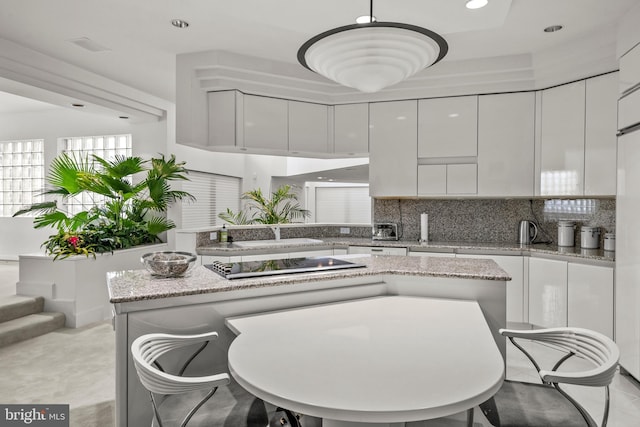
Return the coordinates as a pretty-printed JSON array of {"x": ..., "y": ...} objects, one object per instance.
[{"x": 77, "y": 286}]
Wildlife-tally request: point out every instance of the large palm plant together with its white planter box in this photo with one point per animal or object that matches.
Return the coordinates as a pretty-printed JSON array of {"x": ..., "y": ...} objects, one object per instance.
[{"x": 131, "y": 195}]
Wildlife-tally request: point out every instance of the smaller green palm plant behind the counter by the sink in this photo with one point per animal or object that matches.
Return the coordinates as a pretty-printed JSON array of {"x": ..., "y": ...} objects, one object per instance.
[{"x": 281, "y": 208}]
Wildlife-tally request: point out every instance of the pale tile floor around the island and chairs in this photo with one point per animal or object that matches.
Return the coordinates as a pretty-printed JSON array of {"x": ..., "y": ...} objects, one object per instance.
[{"x": 77, "y": 366}]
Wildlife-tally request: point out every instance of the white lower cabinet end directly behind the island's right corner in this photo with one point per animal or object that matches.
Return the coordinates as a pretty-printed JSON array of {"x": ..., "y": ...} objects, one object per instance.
[{"x": 516, "y": 296}]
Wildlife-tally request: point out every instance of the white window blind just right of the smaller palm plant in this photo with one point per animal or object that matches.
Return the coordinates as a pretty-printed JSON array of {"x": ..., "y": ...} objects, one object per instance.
[{"x": 343, "y": 205}]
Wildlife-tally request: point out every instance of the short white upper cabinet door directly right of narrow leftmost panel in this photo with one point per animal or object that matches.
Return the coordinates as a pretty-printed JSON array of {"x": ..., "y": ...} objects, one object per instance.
[{"x": 265, "y": 123}]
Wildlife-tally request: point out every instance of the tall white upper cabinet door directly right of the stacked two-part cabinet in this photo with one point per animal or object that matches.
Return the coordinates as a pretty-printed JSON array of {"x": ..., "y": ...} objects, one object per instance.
[{"x": 506, "y": 144}]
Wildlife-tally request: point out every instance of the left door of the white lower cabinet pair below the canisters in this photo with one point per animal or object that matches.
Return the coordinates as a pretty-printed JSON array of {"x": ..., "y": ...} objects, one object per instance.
[{"x": 547, "y": 292}]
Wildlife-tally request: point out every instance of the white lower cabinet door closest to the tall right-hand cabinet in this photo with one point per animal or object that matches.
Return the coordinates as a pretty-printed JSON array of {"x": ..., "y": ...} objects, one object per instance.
[{"x": 590, "y": 298}]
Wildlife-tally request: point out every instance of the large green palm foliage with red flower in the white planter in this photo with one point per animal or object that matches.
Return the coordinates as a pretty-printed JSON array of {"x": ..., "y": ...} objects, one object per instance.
[{"x": 128, "y": 216}]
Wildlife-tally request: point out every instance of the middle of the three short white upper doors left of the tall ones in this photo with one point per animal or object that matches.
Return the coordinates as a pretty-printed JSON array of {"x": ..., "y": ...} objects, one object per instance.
[{"x": 308, "y": 128}]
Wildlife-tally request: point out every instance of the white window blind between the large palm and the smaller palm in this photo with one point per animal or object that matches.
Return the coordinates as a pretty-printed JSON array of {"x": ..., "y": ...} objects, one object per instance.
[{"x": 214, "y": 194}]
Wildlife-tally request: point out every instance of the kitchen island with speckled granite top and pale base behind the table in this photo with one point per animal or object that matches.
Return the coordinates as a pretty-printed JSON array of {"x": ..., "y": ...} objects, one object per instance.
[{"x": 203, "y": 300}]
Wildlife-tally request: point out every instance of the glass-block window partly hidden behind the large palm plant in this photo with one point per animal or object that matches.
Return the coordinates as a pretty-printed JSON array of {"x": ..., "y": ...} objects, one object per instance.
[{"x": 106, "y": 147}]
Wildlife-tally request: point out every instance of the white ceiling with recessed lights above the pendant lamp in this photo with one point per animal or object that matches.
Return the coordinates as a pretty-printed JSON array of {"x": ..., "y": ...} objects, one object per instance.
[{"x": 142, "y": 44}]
